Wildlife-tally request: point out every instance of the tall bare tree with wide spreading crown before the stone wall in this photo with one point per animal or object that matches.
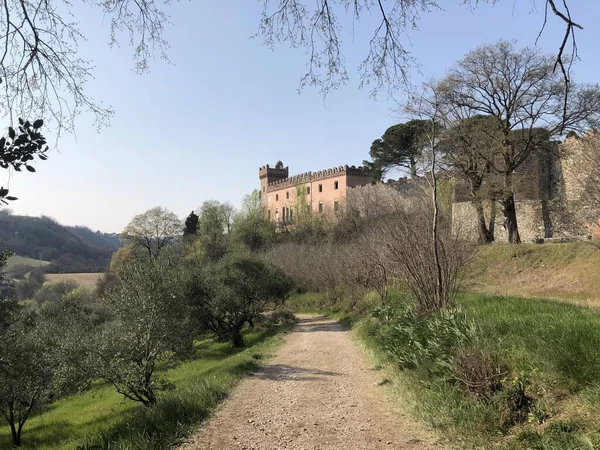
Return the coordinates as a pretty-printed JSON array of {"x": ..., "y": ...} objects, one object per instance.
[{"x": 522, "y": 91}]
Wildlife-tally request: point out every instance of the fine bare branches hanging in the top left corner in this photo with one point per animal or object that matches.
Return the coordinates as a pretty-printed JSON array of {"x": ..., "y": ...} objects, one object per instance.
[{"x": 41, "y": 71}]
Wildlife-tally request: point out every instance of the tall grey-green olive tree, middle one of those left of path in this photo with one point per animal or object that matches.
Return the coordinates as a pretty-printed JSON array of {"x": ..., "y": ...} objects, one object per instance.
[{"x": 150, "y": 324}]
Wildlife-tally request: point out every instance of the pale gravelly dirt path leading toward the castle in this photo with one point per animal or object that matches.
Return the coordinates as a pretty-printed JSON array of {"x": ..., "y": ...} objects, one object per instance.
[{"x": 317, "y": 393}]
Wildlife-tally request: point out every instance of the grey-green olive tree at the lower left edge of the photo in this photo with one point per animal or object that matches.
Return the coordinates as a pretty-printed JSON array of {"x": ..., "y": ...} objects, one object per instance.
[{"x": 41, "y": 359}]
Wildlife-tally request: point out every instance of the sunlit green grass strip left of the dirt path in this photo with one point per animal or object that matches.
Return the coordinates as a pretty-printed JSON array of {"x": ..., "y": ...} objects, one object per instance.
[{"x": 103, "y": 419}]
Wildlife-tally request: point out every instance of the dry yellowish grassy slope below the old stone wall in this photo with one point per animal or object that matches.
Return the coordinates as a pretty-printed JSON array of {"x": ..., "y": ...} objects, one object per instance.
[{"x": 562, "y": 271}]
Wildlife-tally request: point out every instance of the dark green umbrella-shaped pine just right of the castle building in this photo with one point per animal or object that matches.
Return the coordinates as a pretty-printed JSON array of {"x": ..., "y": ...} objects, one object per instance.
[{"x": 399, "y": 147}]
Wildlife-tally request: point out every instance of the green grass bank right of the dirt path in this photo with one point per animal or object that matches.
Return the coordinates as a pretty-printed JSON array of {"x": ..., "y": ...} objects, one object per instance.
[{"x": 554, "y": 346}]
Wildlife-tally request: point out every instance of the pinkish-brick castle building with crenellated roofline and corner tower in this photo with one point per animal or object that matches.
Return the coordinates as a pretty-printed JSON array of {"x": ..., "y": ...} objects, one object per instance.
[{"x": 324, "y": 190}]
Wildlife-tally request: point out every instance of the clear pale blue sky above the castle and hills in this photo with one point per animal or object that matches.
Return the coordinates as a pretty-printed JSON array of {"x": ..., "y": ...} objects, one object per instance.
[{"x": 199, "y": 128}]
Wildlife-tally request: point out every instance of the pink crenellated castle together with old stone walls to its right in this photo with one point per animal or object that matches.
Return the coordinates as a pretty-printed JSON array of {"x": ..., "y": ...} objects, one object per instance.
[{"x": 557, "y": 193}]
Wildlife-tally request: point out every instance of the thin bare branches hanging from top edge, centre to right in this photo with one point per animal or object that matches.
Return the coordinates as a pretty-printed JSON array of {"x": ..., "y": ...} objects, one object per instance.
[{"x": 317, "y": 26}]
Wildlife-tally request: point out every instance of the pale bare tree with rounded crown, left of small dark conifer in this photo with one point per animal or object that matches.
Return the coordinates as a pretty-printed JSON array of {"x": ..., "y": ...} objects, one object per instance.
[{"x": 153, "y": 231}]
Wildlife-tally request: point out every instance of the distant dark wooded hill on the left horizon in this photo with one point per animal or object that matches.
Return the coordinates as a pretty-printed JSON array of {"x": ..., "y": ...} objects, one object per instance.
[{"x": 69, "y": 249}]
